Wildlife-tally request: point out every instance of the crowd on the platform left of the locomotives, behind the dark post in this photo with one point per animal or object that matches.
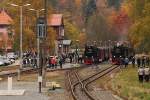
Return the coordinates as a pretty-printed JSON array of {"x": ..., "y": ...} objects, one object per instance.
[{"x": 30, "y": 59}]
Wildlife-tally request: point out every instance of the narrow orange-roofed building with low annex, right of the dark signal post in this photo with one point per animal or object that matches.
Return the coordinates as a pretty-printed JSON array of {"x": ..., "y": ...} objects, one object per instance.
[{"x": 56, "y": 21}]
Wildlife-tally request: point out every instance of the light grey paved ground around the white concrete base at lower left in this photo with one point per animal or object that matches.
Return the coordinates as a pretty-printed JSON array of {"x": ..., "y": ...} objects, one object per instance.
[{"x": 30, "y": 94}]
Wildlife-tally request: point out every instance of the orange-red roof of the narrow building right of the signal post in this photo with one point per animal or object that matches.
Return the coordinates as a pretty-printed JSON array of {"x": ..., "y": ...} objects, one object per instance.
[{"x": 55, "y": 20}]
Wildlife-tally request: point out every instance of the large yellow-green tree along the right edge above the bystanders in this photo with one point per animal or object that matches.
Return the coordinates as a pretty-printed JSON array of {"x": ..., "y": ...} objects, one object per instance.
[{"x": 140, "y": 32}]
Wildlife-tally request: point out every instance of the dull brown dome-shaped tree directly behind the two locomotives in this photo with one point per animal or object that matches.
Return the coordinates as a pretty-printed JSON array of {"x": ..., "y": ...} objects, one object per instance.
[{"x": 97, "y": 28}]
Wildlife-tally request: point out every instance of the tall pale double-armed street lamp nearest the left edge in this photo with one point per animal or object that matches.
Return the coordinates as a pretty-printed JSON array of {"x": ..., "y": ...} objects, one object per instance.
[{"x": 21, "y": 29}]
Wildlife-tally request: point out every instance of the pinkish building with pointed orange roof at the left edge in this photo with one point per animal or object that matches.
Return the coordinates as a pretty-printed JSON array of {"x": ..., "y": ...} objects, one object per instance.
[{"x": 6, "y": 32}]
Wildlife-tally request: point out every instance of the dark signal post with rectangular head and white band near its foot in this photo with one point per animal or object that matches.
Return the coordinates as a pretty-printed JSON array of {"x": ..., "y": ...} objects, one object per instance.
[{"x": 41, "y": 35}]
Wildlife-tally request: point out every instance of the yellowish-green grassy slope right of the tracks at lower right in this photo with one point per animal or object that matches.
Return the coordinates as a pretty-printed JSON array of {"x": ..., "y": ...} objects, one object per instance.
[{"x": 126, "y": 84}]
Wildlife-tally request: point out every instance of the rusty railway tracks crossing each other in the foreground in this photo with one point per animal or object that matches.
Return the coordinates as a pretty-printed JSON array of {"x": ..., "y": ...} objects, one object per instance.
[{"x": 79, "y": 87}]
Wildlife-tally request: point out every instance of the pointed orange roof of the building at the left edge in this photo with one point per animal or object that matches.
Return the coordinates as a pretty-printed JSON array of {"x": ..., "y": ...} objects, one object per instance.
[{"x": 5, "y": 18}]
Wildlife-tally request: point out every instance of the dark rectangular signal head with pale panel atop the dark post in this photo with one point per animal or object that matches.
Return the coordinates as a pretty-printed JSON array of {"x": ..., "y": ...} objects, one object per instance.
[{"x": 41, "y": 27}]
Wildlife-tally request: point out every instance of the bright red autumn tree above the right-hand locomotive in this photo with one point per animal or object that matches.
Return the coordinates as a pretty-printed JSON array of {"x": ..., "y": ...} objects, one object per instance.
[{"x": 120, "y": 23}]
